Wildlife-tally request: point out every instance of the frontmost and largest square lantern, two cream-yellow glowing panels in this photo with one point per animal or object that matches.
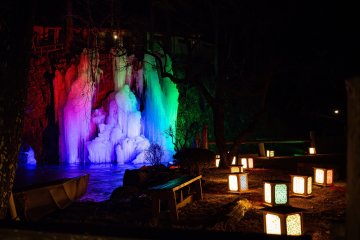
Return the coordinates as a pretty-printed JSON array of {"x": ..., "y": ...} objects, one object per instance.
[{"x": 283, "y": 220}]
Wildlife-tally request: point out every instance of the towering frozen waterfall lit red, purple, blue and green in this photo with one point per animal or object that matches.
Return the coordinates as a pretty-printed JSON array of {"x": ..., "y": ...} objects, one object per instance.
[{"x": 137, "y": 113}]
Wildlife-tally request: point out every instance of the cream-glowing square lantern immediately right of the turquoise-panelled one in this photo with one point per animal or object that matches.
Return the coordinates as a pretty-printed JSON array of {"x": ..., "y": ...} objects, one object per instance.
[{"x": 301, "y": 185}]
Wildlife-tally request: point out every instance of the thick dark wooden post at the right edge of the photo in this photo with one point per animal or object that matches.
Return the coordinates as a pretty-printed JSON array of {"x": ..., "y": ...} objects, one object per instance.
[{"x": 353, "y": 163}]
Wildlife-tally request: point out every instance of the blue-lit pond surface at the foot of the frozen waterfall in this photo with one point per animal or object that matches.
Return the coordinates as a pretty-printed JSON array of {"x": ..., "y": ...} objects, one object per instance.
[{"x": 104, "y": 178}]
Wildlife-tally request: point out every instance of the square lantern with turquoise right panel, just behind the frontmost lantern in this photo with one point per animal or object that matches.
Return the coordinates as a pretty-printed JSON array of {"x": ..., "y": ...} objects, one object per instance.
[{"x": 276, "y": 192}]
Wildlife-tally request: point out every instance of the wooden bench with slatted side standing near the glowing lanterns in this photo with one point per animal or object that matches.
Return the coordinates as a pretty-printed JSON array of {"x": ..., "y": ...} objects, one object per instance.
[{"x": 177, "y": 192}]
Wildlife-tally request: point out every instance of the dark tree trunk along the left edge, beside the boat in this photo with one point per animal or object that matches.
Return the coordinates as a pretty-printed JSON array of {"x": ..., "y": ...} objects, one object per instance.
[{"x": 15, "y": 44}]
